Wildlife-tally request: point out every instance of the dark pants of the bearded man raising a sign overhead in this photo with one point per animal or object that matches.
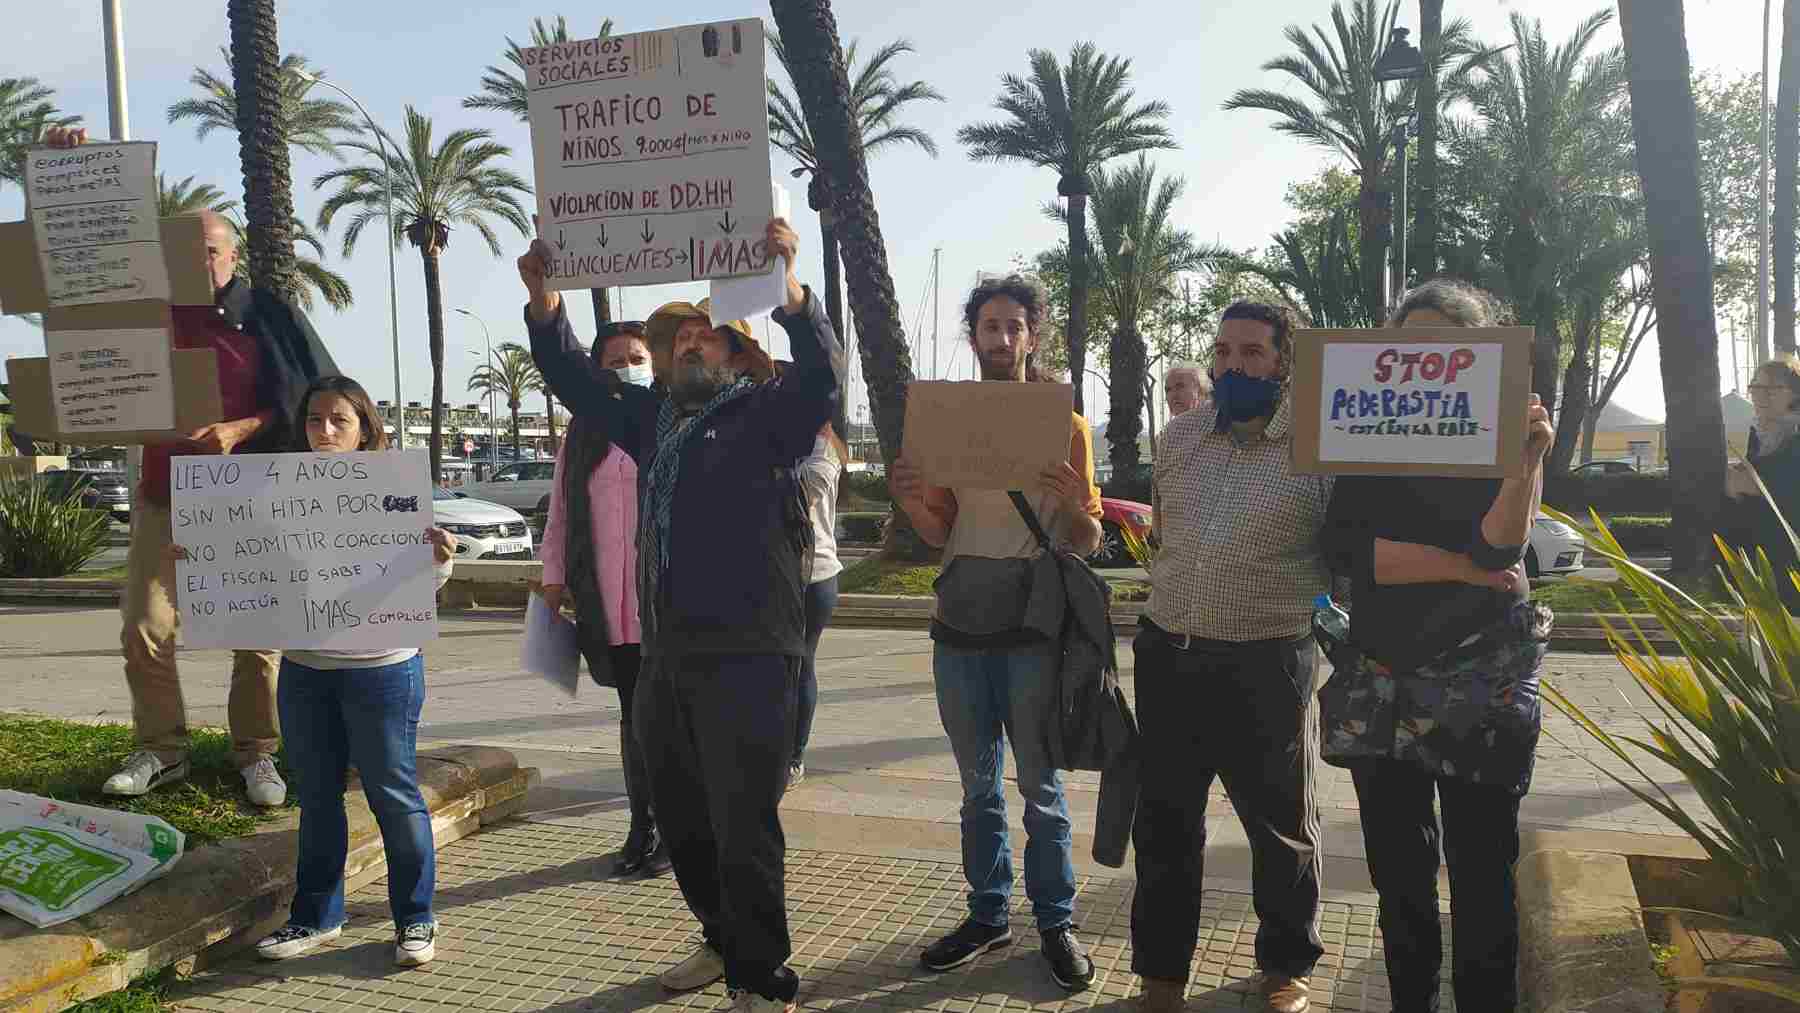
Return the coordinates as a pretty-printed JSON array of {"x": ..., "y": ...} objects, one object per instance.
[{"x": 717, "y": 735}]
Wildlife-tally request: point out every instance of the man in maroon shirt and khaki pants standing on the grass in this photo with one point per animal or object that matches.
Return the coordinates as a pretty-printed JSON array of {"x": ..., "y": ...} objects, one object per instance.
[{"x": 267, "y": 355}]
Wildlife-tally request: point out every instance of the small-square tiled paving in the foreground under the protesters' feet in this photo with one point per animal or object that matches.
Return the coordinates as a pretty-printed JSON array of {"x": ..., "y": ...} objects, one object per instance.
[{"x": 532, "y": 924}]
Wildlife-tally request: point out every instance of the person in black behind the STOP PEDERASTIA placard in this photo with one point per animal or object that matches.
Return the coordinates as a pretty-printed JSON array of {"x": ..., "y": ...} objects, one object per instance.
[{"x": 1441, "y": 598}]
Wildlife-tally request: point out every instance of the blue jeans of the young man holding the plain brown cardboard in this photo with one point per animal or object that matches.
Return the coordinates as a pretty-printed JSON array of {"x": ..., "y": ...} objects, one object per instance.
[{"x": 985, "y": 697}]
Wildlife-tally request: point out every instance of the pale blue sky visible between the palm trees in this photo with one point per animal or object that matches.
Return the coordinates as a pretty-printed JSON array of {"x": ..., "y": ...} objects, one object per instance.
[{"x": 431, "y": 57}]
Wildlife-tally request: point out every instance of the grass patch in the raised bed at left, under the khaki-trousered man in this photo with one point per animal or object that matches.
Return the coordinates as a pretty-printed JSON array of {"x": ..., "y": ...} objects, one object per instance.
[{"x": 69, "y": 762}]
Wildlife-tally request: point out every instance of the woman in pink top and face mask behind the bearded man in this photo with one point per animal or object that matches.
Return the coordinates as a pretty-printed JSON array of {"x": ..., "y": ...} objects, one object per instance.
[{"x": 591, "y": 568}]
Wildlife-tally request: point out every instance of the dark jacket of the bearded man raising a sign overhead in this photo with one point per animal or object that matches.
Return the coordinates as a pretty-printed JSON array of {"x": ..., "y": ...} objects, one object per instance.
[{"x": 741, "y": 541}]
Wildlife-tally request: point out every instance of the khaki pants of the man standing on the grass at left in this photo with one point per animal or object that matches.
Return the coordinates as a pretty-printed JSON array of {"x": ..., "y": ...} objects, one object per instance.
[{"x": 148, "y": 638}]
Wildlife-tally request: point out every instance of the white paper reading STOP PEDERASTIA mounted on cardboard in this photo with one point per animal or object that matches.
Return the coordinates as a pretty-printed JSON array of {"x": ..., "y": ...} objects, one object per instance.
[{"x": 1423, "y": 404}]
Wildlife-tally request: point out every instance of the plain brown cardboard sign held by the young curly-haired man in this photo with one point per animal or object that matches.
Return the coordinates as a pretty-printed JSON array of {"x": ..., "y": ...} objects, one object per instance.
[{"x": 987, "y": 436}]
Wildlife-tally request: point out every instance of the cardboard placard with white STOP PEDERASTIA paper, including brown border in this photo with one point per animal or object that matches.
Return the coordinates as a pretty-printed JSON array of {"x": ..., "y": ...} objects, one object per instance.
[{"x": 1412, "y": 402}]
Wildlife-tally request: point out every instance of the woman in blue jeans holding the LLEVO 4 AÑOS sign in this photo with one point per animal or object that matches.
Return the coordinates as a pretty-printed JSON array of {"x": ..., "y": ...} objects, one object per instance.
[{"x": 357, "y": 710}]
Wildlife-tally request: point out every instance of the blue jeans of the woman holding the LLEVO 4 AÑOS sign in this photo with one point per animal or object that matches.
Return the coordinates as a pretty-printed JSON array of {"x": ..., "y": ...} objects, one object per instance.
[{"x": 368, "y": 717}]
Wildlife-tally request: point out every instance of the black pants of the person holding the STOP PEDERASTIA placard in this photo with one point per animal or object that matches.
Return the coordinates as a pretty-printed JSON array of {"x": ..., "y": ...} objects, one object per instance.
[{"x": 1482, "y": 847}]
